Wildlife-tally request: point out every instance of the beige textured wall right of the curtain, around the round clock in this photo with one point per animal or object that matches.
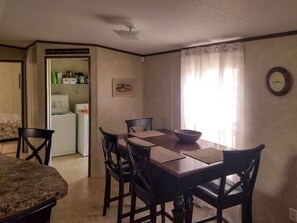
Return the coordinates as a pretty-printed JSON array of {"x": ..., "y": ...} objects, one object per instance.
[{"x": 272, "y": 121}]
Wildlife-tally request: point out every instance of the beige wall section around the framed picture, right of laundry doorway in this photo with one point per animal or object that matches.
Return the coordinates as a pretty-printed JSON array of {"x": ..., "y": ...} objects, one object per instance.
[{"x": 113, "y": 111}]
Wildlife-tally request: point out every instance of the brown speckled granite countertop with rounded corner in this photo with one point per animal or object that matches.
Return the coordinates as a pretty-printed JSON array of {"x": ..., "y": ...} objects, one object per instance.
[{"x": 24, "y": 184}]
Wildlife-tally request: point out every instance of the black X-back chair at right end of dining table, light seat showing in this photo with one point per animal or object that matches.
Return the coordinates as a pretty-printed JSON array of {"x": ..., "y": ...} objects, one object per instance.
[{"x": 222, "y": 193}]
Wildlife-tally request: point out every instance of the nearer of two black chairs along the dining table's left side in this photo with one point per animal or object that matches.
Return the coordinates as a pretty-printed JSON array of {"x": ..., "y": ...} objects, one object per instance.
[{"x": 151, "y": 191}]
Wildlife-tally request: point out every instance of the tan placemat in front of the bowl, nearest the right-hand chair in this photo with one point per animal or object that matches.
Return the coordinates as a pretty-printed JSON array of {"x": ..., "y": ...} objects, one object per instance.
[{"x": 209, "y": 155}]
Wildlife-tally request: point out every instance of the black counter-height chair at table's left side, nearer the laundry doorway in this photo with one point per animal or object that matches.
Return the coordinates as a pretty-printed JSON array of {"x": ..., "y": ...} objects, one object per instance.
[{"x": 116, "y": 167}]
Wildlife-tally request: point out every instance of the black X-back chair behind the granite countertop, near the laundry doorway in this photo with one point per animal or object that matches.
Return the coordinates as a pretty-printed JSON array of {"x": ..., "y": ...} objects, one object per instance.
[{"x": 32, "y": 136}]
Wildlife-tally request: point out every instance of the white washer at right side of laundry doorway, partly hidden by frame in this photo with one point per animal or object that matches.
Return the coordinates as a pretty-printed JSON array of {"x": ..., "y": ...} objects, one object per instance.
[{"x": 82, "y": 131}]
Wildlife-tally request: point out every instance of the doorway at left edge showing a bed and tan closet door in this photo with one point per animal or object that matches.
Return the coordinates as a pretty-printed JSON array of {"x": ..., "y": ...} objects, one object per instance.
[{"x": 11, "y": 104}]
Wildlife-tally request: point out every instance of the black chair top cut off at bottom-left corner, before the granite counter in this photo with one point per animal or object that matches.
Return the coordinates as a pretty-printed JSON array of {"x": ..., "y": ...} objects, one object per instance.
[{"x": 40, "y": 213}]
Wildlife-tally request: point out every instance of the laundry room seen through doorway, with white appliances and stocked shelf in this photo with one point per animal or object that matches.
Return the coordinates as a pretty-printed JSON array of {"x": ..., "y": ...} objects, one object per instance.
[{"x": 68, "y": 84}]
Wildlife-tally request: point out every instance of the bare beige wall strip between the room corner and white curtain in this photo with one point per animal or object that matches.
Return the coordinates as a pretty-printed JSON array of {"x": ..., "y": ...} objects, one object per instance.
[{"x": 162, "y": 90}]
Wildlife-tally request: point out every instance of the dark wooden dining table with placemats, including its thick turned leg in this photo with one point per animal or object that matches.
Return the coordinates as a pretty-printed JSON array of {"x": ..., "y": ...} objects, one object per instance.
[{"x": 182, "y": 165}]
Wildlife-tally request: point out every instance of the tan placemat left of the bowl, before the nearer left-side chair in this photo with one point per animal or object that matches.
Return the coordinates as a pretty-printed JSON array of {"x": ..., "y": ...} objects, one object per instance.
[{"x": 162, "y": 155}]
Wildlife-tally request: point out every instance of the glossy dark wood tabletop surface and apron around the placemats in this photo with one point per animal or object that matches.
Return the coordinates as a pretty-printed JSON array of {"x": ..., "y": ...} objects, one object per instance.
[{"x": 187, "y": 172}]
